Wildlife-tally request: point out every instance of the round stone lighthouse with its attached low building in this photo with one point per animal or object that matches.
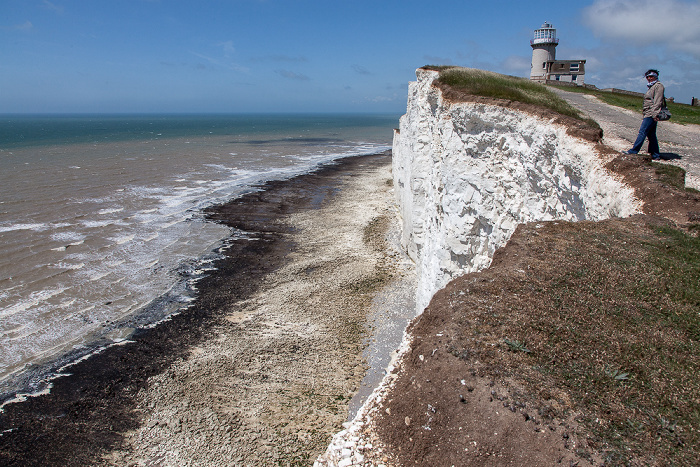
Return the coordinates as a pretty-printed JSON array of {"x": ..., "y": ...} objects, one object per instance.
[{"x": 545, "y": 67}]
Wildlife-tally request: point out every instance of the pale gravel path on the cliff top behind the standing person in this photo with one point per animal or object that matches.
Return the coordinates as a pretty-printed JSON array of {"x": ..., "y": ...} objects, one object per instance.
[{"x": 680, "y": 144}]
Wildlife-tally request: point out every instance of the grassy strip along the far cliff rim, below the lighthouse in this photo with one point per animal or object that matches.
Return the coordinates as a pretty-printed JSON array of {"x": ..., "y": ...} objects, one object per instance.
[{"x": 488, "y": 84}]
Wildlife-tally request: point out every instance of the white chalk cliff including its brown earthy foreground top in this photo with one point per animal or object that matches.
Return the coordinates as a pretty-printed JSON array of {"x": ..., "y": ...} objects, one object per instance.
[{"x": 538, "y": 261}]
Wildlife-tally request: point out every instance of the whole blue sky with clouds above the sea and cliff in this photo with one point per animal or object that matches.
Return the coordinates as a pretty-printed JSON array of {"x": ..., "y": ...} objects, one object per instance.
[{"x": 316, "y": 56}]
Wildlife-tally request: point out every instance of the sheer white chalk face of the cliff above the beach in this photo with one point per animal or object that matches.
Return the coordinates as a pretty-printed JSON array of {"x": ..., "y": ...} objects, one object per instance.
[{"x": 466, "y": 174}]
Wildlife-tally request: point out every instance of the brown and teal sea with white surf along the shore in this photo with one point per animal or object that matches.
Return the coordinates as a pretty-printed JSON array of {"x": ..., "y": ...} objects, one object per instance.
[{"x": 101, "y": 218}]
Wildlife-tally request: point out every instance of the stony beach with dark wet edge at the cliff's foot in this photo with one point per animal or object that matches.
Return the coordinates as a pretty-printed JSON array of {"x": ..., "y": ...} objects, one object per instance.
[{"x": 262, "y": 367}]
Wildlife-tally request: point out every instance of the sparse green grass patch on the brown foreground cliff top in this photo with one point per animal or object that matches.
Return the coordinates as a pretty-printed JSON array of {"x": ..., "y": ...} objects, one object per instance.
[{"x": 637, "y": 370}]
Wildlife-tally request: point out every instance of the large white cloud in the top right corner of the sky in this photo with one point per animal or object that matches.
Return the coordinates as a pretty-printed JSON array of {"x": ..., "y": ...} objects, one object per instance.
[{"x": 669, "y": 23}]
